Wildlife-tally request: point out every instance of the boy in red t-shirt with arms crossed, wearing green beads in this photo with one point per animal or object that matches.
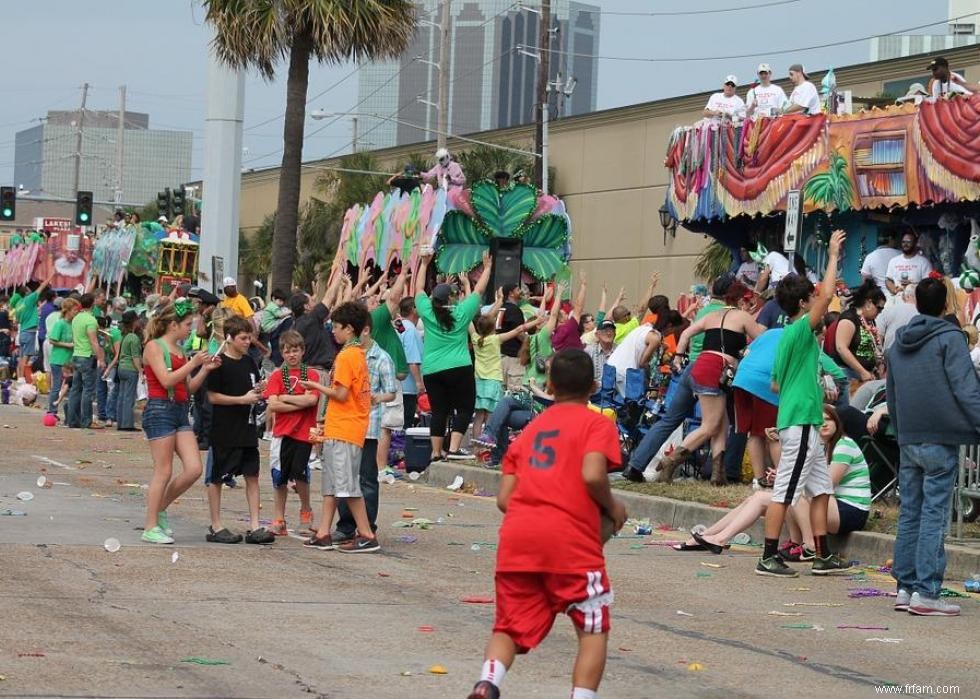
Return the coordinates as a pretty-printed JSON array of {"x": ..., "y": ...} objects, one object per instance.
[{"x": 295, "y": 415}]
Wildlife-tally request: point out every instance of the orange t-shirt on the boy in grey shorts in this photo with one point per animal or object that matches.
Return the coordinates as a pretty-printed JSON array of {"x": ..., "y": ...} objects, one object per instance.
[{"x": 347, "y": 420}]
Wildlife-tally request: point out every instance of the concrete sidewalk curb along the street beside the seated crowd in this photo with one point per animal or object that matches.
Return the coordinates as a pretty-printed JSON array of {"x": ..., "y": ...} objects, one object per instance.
[{"x": 869, "y": 548}]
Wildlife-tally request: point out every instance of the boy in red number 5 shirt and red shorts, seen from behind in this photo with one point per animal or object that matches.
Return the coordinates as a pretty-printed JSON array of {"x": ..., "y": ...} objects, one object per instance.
[{"x": 555, "y": 483}]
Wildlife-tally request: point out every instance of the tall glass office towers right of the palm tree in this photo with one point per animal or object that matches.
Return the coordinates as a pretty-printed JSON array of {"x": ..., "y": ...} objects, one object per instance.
[{"x": 492, "y": 84}]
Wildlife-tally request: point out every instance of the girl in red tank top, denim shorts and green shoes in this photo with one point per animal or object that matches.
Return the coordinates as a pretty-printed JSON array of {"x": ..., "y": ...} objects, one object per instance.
[{"x": 169, "y": 386}]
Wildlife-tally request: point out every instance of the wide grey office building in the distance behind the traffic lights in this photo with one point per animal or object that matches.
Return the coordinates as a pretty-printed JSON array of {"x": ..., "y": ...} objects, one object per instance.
[{"x": 152, "y": 159}]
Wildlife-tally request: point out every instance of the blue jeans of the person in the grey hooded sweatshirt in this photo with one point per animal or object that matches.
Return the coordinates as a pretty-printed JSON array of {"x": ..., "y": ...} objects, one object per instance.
[{"x": 925, "y": 478}]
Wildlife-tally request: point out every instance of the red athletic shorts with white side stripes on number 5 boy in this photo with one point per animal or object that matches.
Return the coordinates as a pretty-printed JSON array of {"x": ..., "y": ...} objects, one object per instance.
[{"x": 527, "y": 604}]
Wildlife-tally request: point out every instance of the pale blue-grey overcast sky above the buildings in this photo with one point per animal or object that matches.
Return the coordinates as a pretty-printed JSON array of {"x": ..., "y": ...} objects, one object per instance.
[{"x": 158, "y": 49}]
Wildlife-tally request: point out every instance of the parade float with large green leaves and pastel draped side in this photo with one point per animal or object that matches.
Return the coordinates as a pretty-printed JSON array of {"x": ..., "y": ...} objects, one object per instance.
[{"x": 459, "y": 225}]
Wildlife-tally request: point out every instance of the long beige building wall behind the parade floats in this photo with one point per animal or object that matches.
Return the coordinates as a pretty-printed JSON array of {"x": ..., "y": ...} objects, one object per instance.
[{"x": 610, "y": 173}]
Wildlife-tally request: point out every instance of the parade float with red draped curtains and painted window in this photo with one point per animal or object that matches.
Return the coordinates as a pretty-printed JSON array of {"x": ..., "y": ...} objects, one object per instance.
[{"x": 914, "y": 164}]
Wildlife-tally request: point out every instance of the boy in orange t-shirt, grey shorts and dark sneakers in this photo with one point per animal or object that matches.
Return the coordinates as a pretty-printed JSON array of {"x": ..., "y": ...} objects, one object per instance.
[{"x": 344, "y": 430}]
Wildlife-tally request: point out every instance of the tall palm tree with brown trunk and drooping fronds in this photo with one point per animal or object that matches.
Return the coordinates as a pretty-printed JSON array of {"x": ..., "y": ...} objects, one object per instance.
[{"x": 262, "y": 33}]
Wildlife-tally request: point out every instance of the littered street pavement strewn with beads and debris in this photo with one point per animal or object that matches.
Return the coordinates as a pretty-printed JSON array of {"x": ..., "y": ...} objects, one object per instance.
[{"x": 78, "y": 621}]
